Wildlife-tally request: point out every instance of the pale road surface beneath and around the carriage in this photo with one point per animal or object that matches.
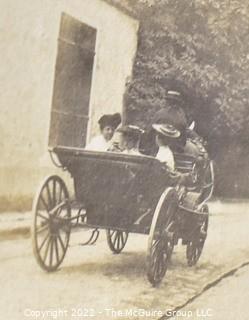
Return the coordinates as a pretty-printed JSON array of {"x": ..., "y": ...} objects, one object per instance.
[{"x": 93, "y": 281}]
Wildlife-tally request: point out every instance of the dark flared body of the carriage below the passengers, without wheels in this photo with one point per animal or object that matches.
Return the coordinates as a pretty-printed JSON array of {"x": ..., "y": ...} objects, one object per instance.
[{"x": 117, "y": 191}]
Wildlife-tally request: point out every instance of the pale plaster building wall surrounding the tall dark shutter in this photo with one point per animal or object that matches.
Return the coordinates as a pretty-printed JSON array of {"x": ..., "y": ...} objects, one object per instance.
[{"x": 29, "y": 31}]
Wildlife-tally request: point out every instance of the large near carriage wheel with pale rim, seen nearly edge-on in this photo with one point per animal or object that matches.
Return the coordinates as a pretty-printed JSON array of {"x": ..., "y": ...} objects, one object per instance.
[{"x": 160, "y": 244}]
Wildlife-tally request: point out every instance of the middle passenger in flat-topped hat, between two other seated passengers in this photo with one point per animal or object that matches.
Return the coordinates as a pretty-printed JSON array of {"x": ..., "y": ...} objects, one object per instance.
[{"x": 129, "y": 139}]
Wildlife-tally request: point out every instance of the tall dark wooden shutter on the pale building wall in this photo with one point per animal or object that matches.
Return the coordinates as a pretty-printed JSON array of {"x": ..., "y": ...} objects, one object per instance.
[{"x": 72, "y": 83}]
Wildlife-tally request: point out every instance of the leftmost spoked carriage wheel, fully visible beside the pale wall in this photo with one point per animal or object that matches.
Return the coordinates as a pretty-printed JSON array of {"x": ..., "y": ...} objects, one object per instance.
[{"x": 51, "y": 225}]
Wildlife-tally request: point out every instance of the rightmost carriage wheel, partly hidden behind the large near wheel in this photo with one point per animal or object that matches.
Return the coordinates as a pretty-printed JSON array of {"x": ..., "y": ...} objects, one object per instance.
[{"x": 195, "y": 247}]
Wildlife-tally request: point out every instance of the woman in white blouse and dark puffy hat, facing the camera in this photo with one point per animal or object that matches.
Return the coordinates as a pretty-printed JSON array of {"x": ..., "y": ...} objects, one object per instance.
[{"x": 107, "y": 124}]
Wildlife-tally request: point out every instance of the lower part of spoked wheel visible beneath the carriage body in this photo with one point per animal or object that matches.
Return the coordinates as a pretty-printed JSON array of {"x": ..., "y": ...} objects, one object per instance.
[{"x": 116, "y": 240}]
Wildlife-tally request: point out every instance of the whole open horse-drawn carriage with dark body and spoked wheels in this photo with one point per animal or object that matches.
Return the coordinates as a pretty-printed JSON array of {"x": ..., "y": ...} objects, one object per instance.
[{"x": 122, "y": 194}]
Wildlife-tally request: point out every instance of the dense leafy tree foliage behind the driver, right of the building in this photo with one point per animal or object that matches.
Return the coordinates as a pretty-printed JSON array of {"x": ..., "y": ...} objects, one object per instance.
[{"x": 201, "y": 48}]
